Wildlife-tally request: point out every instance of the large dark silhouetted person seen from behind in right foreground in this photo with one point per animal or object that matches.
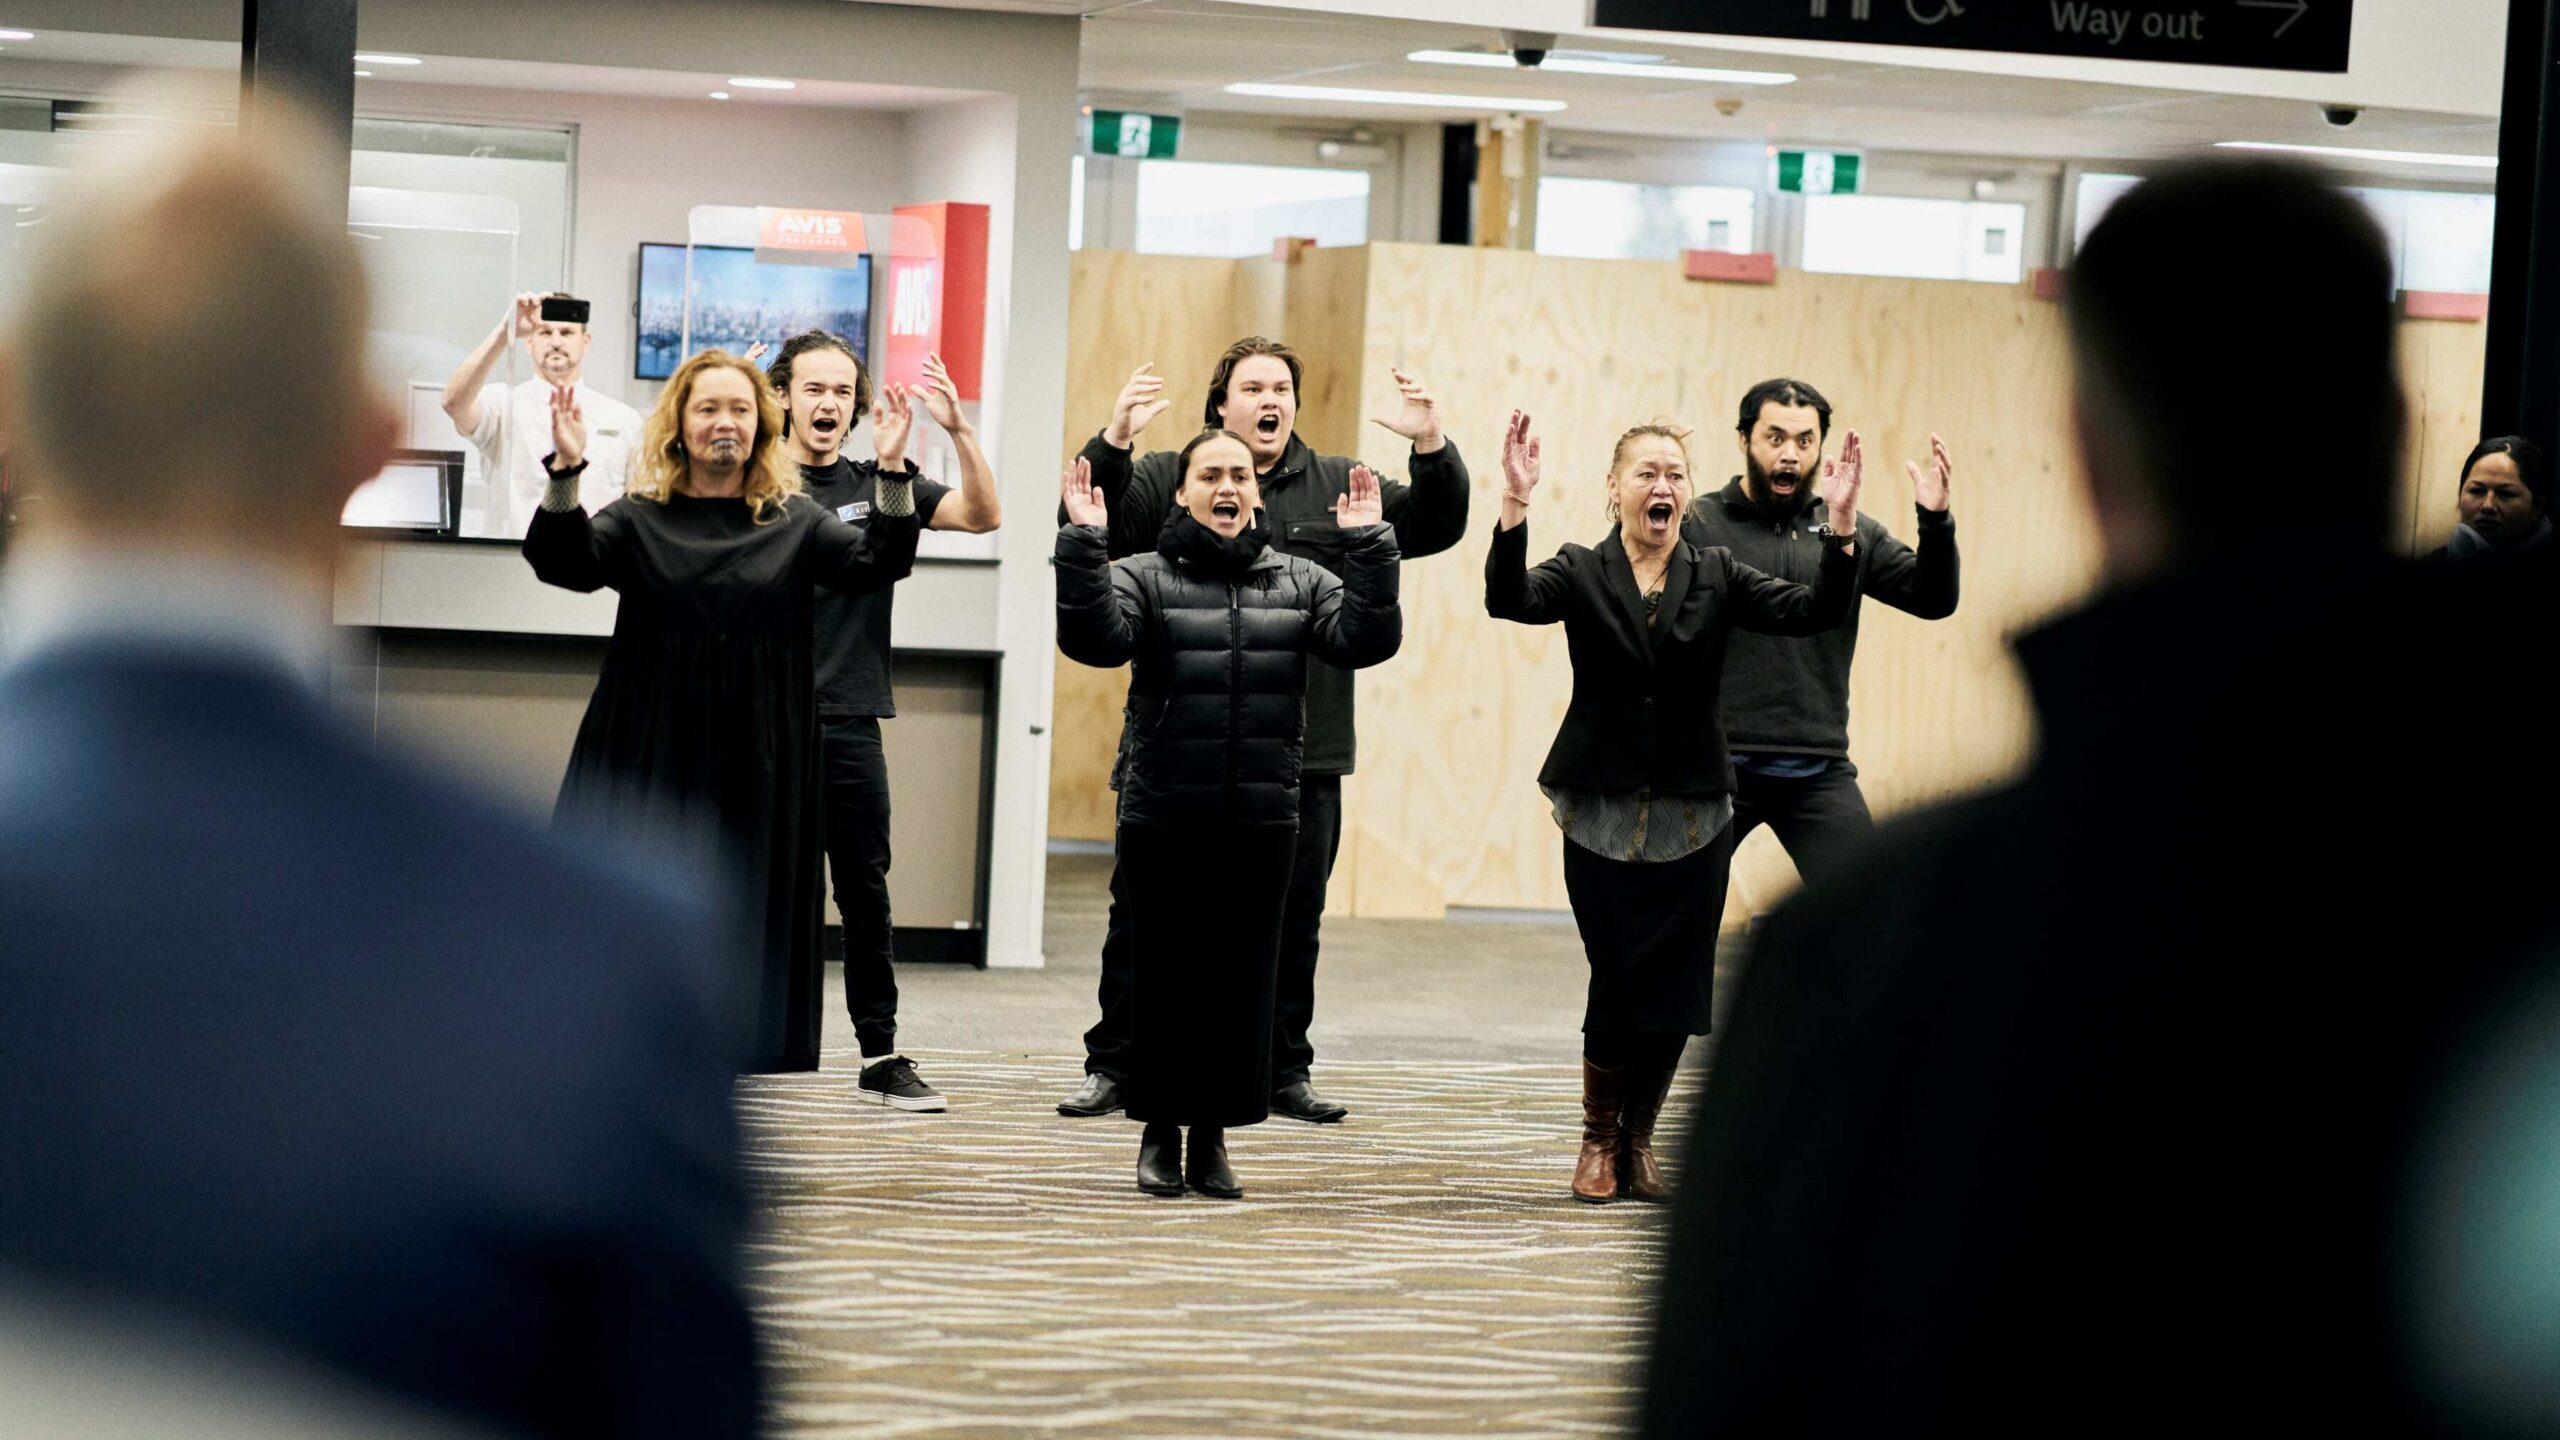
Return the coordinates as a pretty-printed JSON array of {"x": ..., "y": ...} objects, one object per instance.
[{"x": 2113, "y": 1098}]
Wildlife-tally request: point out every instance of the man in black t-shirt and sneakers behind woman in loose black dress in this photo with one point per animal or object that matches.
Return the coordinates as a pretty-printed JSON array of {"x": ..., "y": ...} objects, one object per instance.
[{"x": 826, "y": 391}]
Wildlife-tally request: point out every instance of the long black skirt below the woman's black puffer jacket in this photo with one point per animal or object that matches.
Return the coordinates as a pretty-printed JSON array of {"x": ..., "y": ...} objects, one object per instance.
[{"x": 1204, "y": 962}]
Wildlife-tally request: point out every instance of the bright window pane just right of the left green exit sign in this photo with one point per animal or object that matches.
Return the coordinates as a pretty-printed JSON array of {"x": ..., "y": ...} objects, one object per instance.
[{"x": 1197, "y": 209}]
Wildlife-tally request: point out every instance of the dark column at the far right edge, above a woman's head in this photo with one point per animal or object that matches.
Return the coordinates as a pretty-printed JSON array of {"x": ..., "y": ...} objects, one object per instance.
[{"x": 2523, "y": 386}]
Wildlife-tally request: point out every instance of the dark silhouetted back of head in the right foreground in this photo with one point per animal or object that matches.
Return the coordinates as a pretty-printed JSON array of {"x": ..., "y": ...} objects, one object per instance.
[{"x": 2218, "y": 314}]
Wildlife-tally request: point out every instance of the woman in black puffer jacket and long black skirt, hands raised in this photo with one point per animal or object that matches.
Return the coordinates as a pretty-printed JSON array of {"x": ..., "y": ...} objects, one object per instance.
[{"x": 1220, "y": 629}]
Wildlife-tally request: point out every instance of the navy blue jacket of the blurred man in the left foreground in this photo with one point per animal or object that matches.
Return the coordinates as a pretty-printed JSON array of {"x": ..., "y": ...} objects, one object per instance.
[{"x": 321, "y": 1049}]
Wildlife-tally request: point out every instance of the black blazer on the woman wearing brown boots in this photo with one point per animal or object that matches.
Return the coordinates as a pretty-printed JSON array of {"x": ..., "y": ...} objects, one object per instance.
[{"x": 1645, "y": 708}]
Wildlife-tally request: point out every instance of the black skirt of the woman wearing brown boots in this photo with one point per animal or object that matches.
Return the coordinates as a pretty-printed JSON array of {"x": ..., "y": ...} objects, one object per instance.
[{"x": 1650, "y": 937}]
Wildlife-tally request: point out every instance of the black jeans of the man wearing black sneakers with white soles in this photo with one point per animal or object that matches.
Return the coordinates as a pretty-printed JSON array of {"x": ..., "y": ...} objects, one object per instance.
[{"x": 859, "y": 860}]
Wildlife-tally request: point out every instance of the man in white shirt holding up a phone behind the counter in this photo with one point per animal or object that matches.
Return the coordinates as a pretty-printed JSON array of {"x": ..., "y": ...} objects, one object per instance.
[{"x": 511, "y": 427}]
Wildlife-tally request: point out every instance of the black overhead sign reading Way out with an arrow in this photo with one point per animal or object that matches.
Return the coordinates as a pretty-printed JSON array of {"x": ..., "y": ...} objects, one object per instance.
[{"x": 2257, "y": 35}]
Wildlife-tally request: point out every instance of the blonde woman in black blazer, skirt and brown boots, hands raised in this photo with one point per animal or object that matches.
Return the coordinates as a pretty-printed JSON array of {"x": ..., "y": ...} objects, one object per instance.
[{"x": 1640, "y": 775}]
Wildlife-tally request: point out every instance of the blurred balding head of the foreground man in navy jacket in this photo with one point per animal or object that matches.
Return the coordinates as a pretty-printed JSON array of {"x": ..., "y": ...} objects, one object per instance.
[{"x": 191, "y": 352}]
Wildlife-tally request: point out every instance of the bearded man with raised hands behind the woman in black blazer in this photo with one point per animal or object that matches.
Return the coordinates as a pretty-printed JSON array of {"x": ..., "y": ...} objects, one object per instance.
[{"x": 1788, "y": 696}]
